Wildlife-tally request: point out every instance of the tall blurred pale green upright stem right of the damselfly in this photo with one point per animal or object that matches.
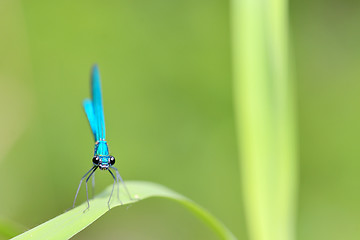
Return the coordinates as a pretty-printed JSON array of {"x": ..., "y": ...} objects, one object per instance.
[{"x": 264, "y": 106}]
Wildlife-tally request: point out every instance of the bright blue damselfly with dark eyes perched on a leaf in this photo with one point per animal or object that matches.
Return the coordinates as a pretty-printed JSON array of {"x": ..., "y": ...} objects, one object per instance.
[{"x": 102, "y": 159}]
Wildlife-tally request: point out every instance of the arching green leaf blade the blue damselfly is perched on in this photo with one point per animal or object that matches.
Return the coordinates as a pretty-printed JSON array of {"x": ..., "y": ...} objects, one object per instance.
[{"x": 70, "y": 223}]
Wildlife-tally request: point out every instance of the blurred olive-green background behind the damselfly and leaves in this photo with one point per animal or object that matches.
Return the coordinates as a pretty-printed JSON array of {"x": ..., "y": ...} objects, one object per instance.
[{"x": 167, "y": 89}]
